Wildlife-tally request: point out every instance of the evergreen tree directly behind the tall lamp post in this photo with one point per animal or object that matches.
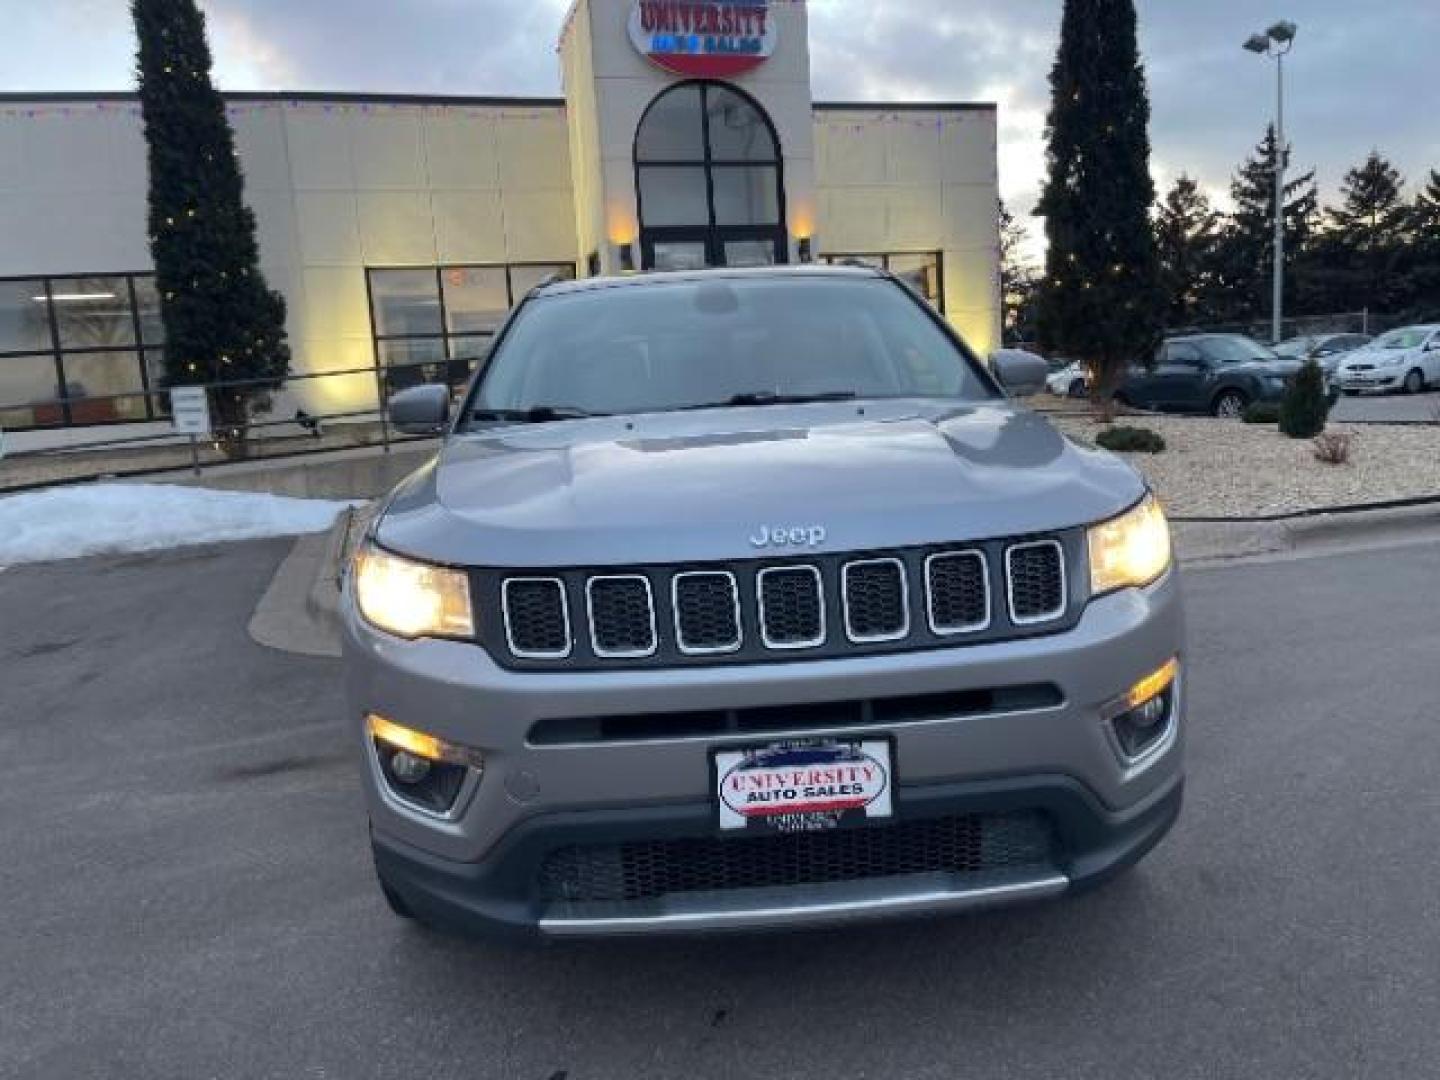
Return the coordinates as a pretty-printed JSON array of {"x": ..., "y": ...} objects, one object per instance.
[{"x": 1246, "y": 251}]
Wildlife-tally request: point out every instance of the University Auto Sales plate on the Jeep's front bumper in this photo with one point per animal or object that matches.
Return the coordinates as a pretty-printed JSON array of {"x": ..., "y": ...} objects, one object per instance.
[{"x": 803, "y": 787}]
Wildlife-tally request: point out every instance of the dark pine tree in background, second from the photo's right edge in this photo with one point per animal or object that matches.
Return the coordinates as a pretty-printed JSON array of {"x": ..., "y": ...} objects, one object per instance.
[{"x": 1369, "y": 230}]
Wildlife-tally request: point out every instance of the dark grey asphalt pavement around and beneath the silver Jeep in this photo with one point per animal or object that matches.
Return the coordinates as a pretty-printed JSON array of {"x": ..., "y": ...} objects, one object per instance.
[{"x": 188, "y": 894}]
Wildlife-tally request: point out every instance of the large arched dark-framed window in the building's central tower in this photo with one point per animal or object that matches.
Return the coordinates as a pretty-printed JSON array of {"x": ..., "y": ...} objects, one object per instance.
[{"x": 709, "y": 181}]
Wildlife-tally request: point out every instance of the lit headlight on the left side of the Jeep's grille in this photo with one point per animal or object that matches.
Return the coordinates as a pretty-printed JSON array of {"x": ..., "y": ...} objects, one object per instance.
[{"x": 413, "y": 600}]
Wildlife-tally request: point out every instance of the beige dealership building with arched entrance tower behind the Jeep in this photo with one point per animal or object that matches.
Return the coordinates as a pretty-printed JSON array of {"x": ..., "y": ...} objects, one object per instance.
[{"x": 401, "y": 230}]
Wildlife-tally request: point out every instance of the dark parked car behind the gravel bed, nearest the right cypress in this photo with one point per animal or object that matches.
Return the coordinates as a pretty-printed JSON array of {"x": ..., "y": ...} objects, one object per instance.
[{"x": 1209, "y": 374}]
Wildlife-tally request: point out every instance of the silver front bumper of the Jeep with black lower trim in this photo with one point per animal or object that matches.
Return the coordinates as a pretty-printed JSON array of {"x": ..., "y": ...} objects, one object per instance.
[{"x": 482, "y": 865}]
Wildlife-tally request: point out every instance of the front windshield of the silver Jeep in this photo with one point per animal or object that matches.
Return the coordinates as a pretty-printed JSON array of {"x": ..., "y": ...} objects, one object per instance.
[{"x": 693, "y": 343}]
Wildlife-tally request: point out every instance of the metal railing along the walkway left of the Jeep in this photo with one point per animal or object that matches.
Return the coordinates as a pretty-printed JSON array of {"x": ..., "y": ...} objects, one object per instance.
[{"x": 148, "y": 447}]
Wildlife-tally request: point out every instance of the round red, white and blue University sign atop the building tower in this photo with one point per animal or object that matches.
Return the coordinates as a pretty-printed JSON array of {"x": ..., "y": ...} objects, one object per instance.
[{"x": 705, "y": 38}]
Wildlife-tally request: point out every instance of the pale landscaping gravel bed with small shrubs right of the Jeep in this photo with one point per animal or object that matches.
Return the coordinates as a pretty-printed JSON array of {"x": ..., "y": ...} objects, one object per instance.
[{"x": 1226, "y": 469}]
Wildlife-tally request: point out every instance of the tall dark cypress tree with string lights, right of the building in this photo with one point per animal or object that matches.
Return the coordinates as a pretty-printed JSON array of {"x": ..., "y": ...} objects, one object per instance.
[{"x": 1101, "y": 300}]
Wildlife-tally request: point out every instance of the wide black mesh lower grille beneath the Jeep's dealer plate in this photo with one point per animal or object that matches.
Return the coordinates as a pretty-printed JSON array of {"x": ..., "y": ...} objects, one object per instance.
[{"x": 647, "y": 870}]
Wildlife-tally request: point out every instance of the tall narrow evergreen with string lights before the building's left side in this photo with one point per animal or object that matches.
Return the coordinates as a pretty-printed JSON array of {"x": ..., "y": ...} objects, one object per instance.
[{"x": 222, "y": 322}]
